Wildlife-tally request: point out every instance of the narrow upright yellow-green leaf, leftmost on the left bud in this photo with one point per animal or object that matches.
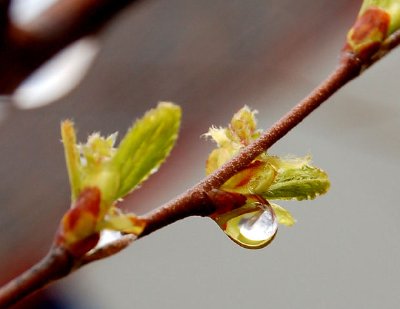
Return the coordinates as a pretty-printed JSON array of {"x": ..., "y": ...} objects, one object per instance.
[{"x": 72, "y": 157}]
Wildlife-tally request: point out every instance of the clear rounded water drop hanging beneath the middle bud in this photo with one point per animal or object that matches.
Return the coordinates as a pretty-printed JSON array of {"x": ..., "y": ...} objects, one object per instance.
[{"x": 252, "y": 226}]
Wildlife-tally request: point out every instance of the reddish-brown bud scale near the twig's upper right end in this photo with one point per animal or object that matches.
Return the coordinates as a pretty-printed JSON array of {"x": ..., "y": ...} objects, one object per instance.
[{"x": 367, "y": 34}]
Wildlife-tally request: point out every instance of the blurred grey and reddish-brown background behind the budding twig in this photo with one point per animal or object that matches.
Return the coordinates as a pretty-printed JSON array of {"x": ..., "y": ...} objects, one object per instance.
[{"x": 212, "y": 57}]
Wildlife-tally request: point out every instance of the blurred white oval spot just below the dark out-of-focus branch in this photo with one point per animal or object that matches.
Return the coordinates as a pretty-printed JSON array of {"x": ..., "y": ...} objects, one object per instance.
[{"x": 58, "y": 76}]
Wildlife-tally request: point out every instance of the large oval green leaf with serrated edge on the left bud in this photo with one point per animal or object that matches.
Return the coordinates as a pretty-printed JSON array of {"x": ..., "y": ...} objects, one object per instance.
[{"x": 146, "y": 146}]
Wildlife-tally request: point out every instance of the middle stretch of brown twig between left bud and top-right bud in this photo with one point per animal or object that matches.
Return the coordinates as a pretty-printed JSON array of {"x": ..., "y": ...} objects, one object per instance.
[{"x": 192, "y": 202}]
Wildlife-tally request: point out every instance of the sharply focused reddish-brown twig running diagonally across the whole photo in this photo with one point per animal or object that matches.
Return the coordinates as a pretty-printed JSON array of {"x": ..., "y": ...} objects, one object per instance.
[{"x": 59, "y": 262}]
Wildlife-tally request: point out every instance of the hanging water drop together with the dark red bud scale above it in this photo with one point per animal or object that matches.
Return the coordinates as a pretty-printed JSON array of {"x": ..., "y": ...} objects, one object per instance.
[{"x": 252, "y": 225}]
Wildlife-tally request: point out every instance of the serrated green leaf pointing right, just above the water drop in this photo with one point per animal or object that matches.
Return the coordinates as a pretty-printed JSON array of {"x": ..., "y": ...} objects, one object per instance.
[{"x": 298, "y": 182}]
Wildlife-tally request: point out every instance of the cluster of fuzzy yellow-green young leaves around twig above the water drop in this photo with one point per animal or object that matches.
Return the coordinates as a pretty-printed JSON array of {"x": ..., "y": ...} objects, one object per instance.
[{"x": 269, "y": 177}]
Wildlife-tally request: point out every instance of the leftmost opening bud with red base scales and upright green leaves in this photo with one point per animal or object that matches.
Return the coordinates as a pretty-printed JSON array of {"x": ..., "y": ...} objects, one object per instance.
[{"x": 100, "y": 175}]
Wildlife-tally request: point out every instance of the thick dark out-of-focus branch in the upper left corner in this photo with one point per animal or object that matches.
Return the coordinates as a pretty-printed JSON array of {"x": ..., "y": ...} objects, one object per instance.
[{"x": 25, "y": 49}]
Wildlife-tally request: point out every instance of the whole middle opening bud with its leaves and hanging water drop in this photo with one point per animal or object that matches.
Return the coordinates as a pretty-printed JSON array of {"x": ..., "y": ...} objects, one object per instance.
[{"x": 242, "y": 203}]
